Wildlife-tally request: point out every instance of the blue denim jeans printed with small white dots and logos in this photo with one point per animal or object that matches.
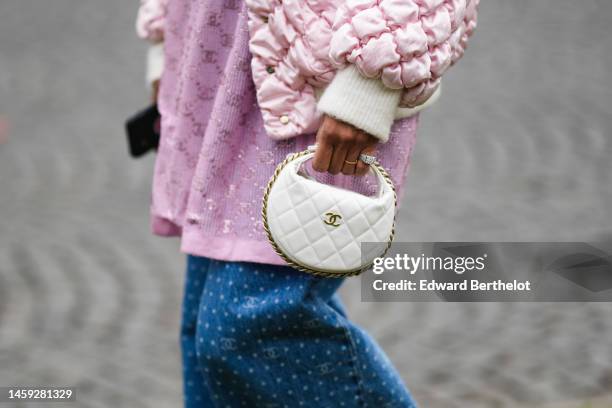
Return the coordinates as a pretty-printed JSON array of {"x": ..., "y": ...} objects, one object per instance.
[{"x": 256, "y": 335}]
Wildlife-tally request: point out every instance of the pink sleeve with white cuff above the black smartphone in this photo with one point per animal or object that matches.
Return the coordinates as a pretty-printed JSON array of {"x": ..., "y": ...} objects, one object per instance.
[{"x": 150, "y": 26}]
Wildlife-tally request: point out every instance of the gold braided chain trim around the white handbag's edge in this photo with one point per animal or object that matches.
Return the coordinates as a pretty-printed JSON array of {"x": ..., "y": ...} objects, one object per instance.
[{"x": 286, "y": 258}]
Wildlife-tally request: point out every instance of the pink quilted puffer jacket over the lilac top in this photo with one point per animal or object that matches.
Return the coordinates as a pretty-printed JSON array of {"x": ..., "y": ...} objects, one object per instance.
[{"x": 366, "y": 62}]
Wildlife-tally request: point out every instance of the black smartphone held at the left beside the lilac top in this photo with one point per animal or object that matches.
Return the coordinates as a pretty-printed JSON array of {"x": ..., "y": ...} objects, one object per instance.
[{"x": 143, "y": 130}]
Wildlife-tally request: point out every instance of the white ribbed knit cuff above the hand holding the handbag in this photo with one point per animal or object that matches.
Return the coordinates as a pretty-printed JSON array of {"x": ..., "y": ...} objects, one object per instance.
[{"x": 365, "y": 103}]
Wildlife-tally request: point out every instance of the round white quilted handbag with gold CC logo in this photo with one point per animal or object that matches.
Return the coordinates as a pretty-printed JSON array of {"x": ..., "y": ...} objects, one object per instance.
[{"x": 318, "y": 228}]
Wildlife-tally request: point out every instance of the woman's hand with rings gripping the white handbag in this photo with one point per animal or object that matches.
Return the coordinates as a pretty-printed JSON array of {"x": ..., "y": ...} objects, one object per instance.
[{"x": 339, "y": 146}]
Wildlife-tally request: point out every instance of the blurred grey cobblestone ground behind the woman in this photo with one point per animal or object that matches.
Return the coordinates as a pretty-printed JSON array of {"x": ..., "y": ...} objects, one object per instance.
[{"x": 518, "y": 149}]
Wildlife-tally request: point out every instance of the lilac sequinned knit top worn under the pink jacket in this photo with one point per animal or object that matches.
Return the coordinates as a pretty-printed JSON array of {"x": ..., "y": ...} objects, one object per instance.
[{"x": 215, "y": 159}]
